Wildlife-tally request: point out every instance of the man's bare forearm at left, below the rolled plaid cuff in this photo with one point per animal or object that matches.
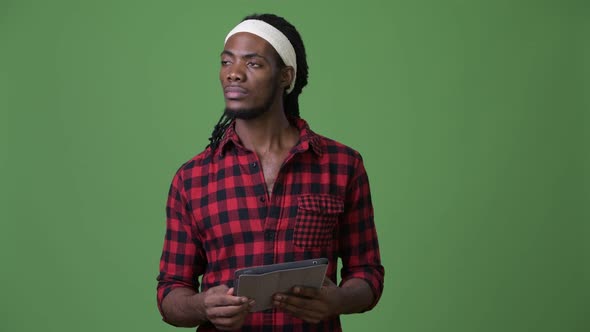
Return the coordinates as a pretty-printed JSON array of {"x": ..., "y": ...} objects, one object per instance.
[{"x": 184, "y": 307}]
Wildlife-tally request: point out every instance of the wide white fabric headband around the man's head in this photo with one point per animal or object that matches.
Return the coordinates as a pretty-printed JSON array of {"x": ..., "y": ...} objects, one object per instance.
[{"x": 274, "y": 37}]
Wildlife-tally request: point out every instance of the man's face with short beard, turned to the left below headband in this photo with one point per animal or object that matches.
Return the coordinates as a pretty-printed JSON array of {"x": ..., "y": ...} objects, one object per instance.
[{"x": 250, "y": 76}]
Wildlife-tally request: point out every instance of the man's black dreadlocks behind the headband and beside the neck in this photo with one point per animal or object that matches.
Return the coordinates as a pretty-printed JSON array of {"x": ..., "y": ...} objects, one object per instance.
[{"x": 291, "y": 100}]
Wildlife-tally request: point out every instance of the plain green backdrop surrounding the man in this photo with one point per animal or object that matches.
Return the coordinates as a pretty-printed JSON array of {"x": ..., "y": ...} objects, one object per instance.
[{"x": 472, "y": 118}]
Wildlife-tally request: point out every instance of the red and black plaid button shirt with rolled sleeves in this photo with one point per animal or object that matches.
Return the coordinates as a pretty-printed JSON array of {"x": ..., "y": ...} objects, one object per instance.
[{"x": 221, "y": 218}]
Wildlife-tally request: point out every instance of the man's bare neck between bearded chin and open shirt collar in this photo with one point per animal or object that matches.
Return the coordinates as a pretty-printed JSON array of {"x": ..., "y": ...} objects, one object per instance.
[{"x": 270, "y": 131}]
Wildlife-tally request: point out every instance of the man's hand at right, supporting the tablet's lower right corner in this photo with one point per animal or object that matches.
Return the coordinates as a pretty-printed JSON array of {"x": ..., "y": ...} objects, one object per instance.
[{"x": 310, "y": 304}]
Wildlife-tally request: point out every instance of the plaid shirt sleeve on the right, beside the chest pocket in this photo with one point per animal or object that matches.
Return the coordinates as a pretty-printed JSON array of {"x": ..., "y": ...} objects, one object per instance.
[{"x": 359, "y": 247}]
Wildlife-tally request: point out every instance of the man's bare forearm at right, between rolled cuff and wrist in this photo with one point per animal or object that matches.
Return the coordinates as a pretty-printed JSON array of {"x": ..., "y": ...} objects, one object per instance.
[{"x": 355, "y": 296}]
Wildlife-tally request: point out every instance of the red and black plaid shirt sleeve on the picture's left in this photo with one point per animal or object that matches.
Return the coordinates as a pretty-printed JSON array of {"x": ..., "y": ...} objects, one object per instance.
[{"x": 183, "y": 258}]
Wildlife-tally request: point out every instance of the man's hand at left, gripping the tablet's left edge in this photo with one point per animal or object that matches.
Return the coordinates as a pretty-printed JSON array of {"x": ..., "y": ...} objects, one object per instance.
[{"x": 224, "y": 310}]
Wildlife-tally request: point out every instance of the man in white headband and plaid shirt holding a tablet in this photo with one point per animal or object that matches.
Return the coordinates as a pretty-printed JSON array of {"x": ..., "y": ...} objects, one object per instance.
[{"x": 267, "y": 190}]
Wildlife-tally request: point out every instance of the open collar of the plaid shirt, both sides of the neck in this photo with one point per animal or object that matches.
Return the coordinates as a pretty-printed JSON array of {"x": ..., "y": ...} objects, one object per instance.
[{"x": 307, "y": 138}]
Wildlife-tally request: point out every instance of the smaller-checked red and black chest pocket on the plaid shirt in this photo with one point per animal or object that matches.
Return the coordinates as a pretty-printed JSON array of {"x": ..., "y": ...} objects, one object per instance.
[{"x": 316, "y": 217}]
